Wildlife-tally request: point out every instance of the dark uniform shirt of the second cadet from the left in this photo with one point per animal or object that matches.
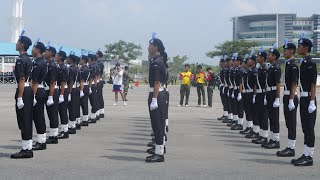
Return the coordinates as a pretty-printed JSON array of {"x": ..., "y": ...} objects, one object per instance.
[{"x": 39, "y": 70}]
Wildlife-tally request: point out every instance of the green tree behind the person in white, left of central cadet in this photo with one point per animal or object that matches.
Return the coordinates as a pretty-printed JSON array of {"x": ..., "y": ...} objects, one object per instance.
[{"x": 123, "y": 51}]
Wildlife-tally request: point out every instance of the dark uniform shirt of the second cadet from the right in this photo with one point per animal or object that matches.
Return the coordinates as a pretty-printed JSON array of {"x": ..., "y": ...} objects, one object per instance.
[{"x": 291, "y": 74}]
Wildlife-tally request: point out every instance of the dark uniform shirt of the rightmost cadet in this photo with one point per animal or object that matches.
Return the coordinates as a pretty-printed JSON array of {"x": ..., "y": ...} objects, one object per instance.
[{"x": 308, "y": 74}]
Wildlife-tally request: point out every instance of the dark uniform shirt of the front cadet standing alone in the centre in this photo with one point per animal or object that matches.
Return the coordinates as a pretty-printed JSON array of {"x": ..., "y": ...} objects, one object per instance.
[{"x": 157, "y": 71}]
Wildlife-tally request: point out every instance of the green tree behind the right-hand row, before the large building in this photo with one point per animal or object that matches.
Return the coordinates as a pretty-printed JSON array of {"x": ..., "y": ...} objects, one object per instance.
[{"x": 229, "y": 47}]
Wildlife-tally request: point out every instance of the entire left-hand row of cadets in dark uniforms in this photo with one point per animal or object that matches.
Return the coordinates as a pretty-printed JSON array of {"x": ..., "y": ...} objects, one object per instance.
[{"x": 62, "y": 88}]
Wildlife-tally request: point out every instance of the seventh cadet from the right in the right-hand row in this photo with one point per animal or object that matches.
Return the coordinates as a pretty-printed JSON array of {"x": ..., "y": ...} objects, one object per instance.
[{"x": 237, "y": 94}]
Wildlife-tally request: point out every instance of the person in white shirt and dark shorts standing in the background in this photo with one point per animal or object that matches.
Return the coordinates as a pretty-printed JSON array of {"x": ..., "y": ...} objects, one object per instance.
[{"x": 117, "y": 82}]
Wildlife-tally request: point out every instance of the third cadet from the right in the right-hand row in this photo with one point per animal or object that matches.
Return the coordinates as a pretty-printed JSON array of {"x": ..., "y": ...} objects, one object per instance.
[{"x": 273, "y": 94}]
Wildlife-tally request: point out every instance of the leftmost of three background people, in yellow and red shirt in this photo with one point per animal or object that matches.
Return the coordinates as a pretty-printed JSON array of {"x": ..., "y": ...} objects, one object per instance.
[{"x": 185, "y": 78}]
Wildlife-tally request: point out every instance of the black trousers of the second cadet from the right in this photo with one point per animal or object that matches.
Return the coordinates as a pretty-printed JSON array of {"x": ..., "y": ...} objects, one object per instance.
[{"x": 290, "y": 116}]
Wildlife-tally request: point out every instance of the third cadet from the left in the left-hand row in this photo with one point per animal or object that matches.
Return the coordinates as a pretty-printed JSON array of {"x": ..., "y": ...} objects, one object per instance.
[{"x": 52, "y": 94}]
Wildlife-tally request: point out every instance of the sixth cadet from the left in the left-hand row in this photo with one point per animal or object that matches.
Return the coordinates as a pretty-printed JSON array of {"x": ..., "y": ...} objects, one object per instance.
[{"x": 84, "y": 89}]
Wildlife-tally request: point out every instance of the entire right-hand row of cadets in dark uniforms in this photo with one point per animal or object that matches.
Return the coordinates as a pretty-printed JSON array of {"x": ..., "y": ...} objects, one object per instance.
[{"x": 254, "y": 88}]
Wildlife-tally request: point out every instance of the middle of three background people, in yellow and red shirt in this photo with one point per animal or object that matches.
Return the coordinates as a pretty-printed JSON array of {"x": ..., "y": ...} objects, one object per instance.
[{"x": 201, "y": 79}]
